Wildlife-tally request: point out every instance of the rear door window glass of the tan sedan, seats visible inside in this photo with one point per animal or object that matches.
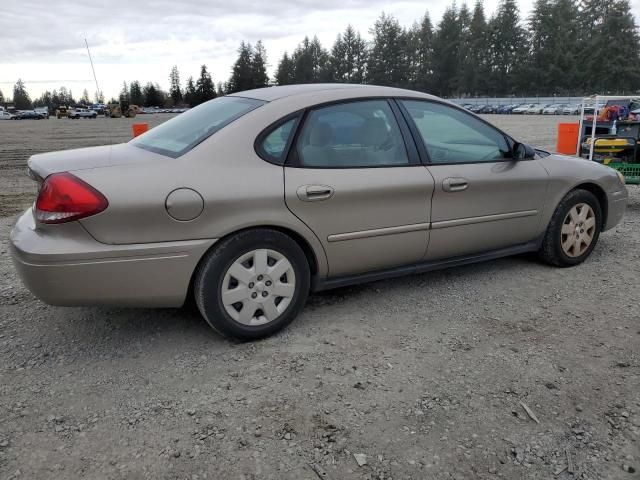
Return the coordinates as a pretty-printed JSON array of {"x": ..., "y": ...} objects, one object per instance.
[{"x": 354, "y": 134}]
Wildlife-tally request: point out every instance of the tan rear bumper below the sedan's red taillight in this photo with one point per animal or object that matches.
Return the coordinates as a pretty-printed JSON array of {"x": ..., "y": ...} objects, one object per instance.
[{"x": 64, "y": 265}]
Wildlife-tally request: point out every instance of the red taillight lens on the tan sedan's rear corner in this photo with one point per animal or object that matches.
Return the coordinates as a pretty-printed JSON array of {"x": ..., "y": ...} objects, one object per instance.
[{"x": 64, "y": 197}]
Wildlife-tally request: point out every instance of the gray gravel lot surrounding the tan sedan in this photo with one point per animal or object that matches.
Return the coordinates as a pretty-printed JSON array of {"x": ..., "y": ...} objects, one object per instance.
[{"x": 426, "y": 376}]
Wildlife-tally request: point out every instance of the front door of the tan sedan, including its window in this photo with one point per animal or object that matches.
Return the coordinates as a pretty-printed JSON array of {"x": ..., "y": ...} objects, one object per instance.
[{"x": 483, "y": 198}]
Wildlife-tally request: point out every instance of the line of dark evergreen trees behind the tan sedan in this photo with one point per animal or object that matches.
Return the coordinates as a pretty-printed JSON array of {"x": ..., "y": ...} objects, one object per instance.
[{"x": 564, "y": 47}]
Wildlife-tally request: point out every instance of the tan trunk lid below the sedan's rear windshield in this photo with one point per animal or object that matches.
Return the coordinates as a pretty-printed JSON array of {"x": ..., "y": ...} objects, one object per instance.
[{"x": 44, "y": 164}]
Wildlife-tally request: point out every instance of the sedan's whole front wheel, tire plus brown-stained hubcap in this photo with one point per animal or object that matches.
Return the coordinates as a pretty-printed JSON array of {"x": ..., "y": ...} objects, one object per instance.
[{"x": 582, "y": 227}]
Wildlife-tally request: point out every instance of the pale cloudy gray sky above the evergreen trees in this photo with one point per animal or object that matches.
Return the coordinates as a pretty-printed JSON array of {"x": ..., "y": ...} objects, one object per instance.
[{"x": 42, "y": 41}]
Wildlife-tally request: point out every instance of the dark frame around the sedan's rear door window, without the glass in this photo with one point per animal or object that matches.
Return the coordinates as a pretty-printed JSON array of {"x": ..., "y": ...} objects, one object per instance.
[{"x": 293, "y": 160}]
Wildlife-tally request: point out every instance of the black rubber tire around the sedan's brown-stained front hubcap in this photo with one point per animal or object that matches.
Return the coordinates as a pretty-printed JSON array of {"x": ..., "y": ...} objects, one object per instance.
[{"x": 555, "y": 231}]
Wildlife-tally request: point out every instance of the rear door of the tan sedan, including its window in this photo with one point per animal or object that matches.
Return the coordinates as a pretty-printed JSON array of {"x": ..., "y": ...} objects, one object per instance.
[{"x": 355, "y": 178}]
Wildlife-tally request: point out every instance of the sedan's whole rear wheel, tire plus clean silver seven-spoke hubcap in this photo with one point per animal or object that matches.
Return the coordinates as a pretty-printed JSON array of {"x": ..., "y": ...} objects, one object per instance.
[{"x": 256, "y": 289}]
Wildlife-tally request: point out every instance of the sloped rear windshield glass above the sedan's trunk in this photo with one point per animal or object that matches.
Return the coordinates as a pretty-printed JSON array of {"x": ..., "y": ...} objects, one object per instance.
[{"x": 180, "y": 134}]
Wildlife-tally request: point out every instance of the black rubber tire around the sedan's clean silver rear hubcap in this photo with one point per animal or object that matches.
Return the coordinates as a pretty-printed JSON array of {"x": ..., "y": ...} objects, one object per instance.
[{"x": 210, "y": 276}]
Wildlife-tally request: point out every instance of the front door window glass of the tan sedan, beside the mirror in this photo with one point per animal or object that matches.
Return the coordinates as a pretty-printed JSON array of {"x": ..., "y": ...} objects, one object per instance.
[{"x": 453, "y": 136}]
